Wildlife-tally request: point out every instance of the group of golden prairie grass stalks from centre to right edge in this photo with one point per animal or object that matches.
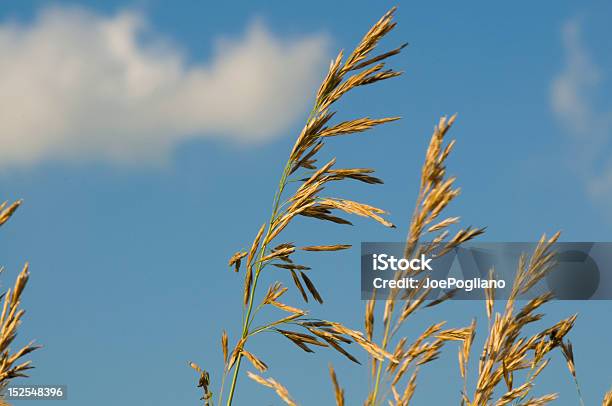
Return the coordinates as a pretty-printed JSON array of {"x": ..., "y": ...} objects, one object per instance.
[{"x": 508, "y": 354}]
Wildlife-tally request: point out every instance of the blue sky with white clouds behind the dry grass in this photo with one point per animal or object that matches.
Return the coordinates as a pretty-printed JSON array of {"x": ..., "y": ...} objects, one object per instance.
[{"x": 135, "y": 199}]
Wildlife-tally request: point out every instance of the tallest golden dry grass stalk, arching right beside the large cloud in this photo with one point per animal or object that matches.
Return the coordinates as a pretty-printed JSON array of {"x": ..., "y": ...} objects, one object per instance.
[{"x": 361, "y": 67}]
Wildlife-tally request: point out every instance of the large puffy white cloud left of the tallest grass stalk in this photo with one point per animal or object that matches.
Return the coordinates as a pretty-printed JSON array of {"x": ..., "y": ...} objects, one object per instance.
[{"x": 78, "y": 86}]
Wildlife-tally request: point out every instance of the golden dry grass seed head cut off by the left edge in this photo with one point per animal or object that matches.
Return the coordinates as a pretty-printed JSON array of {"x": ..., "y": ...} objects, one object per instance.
[{"x": 10, "y": 362}]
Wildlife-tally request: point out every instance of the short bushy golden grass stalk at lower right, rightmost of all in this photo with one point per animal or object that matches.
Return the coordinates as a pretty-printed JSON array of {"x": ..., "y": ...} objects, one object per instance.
[{"x": 505, "y": 352}]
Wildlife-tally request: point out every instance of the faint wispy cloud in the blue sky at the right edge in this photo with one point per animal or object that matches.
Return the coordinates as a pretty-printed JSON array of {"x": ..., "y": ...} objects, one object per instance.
[{"x": 574, "y": 101}]
